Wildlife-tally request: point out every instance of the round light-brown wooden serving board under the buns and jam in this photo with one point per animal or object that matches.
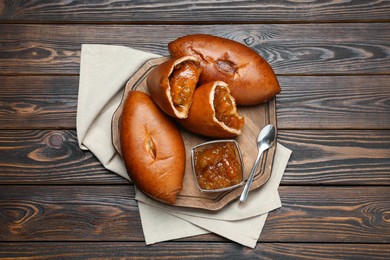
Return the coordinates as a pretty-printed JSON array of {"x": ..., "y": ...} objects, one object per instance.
[{"x": 256, "y": 117}]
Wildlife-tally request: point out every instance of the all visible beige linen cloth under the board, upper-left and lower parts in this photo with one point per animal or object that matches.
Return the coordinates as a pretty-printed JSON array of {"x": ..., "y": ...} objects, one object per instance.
[{"x": 104, "y": 71}]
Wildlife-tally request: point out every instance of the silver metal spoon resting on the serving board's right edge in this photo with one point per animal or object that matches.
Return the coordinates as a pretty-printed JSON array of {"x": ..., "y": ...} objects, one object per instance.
[{"x": 265, "y": 140}]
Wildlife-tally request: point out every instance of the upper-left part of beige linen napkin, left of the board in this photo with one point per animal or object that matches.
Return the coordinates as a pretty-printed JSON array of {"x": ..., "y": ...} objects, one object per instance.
[{"x": 104, "y": 70}]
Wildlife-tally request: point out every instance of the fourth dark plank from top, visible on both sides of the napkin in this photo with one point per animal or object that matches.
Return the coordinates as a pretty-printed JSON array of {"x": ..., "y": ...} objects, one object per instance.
[{"x": 319, "y": 158}]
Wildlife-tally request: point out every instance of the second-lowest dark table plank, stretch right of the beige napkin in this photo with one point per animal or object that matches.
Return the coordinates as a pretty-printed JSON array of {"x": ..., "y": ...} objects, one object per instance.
[{"x": 330, "y": 214}]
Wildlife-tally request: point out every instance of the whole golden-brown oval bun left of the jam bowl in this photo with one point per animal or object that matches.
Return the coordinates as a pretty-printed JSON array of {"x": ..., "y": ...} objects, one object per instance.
[{"x": 152, "y": 148}]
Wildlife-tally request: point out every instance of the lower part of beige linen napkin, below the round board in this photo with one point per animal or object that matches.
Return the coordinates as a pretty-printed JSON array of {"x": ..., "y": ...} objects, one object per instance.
[{"x": 245, "y": 231}]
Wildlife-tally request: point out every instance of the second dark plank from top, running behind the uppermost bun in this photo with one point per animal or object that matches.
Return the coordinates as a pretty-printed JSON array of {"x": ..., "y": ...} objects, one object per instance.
[{"x": 290, "y": 48}]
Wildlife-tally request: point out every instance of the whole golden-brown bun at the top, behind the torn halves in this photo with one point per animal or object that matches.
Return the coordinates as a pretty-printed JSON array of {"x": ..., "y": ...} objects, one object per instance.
[{"x": 250, "y": 78}]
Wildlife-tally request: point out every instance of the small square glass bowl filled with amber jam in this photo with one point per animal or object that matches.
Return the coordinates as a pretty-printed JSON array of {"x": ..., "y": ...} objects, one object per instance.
[{"x": 217, "y": 165}]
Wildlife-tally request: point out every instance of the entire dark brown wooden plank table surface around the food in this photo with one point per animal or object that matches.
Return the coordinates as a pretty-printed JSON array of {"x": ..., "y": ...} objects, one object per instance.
[{"x": 332, "y": 59}]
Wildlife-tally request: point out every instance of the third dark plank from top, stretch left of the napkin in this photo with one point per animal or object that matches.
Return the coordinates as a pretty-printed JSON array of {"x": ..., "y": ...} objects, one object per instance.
[{"x": 38, "y": 102}]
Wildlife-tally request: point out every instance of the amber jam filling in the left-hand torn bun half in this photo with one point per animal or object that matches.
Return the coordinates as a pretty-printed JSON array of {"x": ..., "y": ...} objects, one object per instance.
[{"x": 183, "y": 82}]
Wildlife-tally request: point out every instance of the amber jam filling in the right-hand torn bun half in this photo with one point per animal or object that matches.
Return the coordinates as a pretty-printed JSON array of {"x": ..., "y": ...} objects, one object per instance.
[{"x": 225, "y": 108}]
